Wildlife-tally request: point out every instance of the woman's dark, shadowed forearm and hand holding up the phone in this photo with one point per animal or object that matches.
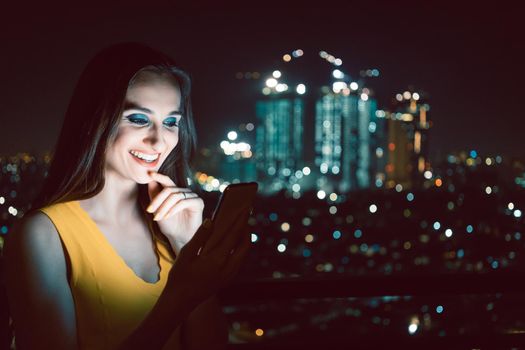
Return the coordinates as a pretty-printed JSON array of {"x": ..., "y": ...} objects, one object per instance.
[{"x": 199, "y": 271}]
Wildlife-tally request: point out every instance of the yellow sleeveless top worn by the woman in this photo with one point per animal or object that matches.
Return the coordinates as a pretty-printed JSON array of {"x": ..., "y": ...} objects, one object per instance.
[{"x": 110, "y": 299}]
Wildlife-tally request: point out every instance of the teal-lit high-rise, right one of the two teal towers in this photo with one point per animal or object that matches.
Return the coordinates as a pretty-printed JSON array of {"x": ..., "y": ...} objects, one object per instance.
[{"x": 348, "y": 134}]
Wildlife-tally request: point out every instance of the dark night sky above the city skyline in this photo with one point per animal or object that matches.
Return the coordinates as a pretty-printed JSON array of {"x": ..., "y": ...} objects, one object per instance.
[{"x": 468, "y": 60}]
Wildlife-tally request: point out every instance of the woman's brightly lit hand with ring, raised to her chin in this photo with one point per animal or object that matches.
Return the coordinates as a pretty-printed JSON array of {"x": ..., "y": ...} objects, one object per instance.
[{"x": 177, "y": 210}]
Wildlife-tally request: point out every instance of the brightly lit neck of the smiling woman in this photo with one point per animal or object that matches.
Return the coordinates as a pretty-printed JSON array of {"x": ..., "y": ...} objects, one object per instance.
[{"x": 116, "y": 203}]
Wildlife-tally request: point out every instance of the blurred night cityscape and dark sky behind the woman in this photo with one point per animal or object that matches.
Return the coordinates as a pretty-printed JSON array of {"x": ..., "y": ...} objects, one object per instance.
[{"x": 385, "y": 138}]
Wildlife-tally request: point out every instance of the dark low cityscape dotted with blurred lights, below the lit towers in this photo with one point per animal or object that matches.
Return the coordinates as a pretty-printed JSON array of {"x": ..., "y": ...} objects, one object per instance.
[{"x": 464, "y": 227}]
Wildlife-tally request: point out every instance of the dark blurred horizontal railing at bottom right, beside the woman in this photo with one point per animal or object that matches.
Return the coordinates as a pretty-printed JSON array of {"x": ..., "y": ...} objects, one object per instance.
[{"x": 249, "y": 292}]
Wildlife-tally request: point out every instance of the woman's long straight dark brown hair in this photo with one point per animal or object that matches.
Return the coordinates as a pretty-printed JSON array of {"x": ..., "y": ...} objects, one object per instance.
[{"x": 91, "y": 122}]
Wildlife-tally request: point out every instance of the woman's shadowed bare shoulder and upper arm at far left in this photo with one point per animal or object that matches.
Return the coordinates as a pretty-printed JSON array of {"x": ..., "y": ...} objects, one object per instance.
[{"x": 39, "y": 295}]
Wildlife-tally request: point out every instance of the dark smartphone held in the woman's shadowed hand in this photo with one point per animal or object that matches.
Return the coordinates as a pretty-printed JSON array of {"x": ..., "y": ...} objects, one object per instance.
[{"x": 235, "y": 199}]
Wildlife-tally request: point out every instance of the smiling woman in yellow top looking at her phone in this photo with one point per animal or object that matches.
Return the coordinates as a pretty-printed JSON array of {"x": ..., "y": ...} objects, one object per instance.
[{"x": 114, "y": 254}]
